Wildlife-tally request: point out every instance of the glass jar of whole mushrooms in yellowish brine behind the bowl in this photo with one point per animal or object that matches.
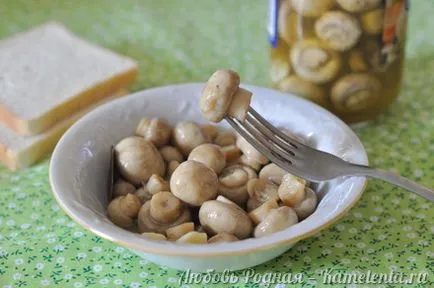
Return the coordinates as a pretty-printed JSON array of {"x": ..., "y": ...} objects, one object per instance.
[{"x": 345, "y": 55}]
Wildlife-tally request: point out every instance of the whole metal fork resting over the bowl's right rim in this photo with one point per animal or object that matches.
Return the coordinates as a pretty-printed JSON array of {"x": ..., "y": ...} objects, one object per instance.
[{"x": 306, "y": 162}]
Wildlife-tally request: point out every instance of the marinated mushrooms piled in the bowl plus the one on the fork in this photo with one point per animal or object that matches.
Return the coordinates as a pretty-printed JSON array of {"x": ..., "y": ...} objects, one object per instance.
[{"x": 200, "y": 183}]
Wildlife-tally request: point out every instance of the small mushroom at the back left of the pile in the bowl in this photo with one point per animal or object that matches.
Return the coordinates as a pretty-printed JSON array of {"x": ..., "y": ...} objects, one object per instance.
[{"x": 155, "y": 130}]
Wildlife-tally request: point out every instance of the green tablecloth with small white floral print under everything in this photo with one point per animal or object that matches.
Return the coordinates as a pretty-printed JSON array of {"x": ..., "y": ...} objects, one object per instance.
[{"x": 176, "y": 41}]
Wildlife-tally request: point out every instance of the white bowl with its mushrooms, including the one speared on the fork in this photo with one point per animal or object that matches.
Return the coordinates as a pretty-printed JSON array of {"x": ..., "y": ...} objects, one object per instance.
[{"x": 192, "y": 193}]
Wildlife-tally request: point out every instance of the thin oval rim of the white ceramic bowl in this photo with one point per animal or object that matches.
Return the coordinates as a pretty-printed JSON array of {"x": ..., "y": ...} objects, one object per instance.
[{"x": 155, "y": 247}]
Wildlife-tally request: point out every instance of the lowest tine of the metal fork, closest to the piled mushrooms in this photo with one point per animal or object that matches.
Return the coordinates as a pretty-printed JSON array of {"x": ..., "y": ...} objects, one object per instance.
[{"x": 283, "y": 163}]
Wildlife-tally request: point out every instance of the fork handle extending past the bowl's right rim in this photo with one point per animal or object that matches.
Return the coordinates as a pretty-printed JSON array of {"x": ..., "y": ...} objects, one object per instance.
[{"x": 360, "y": 170}]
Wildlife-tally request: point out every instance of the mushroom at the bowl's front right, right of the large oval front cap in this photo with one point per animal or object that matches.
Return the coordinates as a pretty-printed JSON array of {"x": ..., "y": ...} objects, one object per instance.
[{"x": 277, "y": 220}]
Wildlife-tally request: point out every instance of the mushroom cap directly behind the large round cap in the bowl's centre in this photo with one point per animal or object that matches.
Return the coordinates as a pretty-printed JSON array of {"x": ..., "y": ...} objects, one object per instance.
[{"x": 210, "y": 155}]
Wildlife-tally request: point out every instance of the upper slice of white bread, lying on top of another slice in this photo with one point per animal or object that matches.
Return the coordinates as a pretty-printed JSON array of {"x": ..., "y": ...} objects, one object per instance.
[{"x": 48, "y": 73}]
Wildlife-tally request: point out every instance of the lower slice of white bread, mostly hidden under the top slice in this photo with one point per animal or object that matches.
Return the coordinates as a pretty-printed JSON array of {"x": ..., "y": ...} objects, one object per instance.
[{"x": 17, "y": 151}]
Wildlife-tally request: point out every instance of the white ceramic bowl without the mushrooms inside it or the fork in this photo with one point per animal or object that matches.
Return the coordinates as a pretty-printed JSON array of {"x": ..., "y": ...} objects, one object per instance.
[{"x": 80, "y": 162}]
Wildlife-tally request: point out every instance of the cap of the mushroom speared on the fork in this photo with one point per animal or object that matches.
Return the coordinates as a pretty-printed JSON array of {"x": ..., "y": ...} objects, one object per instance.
[{"x": 217, "y": 94}]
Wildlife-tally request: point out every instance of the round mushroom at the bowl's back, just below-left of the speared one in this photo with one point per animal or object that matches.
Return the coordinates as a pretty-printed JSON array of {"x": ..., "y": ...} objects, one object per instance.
[{"x": 187, "y": 135}]
